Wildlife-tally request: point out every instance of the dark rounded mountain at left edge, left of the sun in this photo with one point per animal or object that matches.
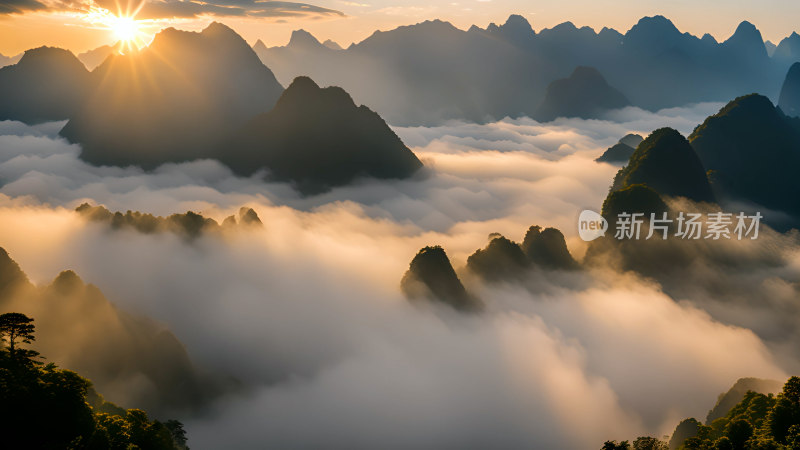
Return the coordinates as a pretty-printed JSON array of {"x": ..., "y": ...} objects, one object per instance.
[{"x": 46, "y": 84}]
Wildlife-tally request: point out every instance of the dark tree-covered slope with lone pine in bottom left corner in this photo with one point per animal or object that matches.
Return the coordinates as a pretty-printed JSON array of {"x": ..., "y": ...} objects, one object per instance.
[{"x": 42, "y": 406}]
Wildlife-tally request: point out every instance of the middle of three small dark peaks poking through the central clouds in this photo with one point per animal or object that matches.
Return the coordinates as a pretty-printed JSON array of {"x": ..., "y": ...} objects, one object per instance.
[{"x": 502, "y": 259}]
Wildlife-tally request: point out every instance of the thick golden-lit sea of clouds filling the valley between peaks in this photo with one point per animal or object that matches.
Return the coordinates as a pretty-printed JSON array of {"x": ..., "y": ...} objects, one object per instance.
[{"x": 307, "y": 314}]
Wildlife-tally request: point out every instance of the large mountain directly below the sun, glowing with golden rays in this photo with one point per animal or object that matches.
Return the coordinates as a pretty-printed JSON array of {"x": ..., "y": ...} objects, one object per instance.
[{"x": 173, "y": 101}]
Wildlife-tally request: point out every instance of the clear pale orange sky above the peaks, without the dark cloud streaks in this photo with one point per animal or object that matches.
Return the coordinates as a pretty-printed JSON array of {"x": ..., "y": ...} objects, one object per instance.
[{"x": 775, "y": 19}]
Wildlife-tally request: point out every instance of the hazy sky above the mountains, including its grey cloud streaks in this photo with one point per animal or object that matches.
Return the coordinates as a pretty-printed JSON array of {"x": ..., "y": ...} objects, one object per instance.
[{"x": 29, "y": 23}]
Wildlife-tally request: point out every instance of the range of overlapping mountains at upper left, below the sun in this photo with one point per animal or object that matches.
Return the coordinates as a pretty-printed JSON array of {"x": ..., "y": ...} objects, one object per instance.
[{"x": 191, "y": 96}]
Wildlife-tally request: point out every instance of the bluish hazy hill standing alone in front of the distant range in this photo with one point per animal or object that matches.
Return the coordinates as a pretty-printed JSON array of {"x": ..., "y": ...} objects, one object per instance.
[{"x": 585, "y": 94}]
